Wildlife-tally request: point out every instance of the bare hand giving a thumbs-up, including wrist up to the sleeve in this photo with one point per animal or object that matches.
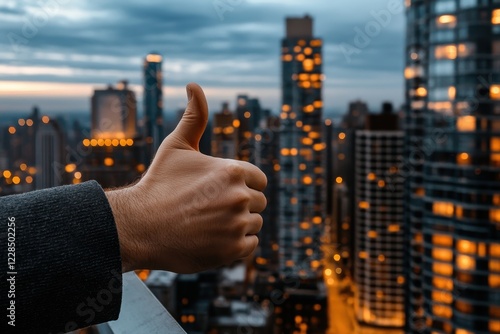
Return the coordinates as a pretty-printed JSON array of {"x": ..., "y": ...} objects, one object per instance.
[{"x": 190, "y": 211}]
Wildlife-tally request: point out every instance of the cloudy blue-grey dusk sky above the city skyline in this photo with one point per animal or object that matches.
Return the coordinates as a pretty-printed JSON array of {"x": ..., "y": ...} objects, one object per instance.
[{"x": 55, "y": 52}]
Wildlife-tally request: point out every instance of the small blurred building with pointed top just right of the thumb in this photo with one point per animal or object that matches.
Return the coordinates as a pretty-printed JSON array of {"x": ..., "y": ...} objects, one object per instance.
[{"x": 224, "y": 134}]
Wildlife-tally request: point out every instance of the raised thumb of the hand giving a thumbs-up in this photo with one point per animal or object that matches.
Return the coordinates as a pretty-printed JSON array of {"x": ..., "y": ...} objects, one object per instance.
[{"x": 188, "y": 132}]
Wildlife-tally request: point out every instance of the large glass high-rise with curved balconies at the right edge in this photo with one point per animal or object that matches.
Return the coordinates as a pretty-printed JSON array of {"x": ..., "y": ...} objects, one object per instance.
[{"x": 452, "y": 166}]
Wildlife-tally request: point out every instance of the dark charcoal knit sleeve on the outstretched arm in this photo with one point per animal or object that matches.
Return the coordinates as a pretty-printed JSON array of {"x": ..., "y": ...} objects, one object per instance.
[{"x": 67, "y": 270}]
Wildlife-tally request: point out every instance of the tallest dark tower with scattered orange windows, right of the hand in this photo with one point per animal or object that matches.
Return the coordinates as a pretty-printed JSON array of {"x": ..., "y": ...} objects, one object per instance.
[{"x": 301, "y": 210}]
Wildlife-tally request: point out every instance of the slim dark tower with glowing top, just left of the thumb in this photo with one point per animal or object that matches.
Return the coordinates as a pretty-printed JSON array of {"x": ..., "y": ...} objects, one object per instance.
[{"x": 153, "y": 102}]
